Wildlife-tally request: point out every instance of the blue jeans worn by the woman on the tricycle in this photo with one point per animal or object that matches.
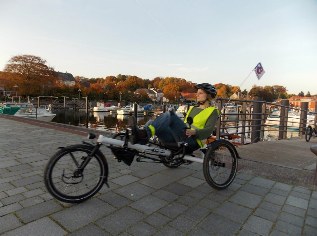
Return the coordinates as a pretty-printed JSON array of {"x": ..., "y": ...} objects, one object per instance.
[{"x": 170, "y": 130}]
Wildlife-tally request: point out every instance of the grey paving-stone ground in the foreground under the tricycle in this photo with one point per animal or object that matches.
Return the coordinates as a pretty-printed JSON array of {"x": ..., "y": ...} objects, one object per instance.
[{"x": 143, "y": 199}]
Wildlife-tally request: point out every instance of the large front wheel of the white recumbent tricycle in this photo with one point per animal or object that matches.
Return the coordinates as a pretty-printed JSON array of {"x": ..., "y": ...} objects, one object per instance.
[{"x": 60, "y": 174}]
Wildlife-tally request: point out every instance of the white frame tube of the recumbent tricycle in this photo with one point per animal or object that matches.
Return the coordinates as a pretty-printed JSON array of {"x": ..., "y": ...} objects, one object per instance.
[{"x": 142, "y": 149}]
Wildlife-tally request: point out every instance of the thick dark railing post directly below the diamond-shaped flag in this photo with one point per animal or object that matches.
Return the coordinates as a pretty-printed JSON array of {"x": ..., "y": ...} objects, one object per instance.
[{"x": 256, "y": 121}]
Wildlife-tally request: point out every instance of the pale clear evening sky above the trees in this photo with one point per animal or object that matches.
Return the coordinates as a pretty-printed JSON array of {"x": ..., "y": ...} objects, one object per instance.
[{"x": 198, "y": 40}]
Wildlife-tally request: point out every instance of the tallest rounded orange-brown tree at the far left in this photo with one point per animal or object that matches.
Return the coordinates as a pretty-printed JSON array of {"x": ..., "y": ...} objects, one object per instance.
[{"x": 37, "y": 77}]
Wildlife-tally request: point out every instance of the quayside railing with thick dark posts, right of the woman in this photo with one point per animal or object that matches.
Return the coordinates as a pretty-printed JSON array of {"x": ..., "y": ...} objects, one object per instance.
[{"x": 252, "y": 120}]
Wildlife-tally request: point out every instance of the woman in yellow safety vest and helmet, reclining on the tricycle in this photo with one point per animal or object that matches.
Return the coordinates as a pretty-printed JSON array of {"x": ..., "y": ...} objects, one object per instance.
[{"x": 170, "y": 129}]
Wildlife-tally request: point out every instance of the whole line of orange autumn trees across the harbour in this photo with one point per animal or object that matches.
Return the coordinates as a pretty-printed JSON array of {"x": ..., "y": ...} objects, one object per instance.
[{"x": 29, "y": 75}]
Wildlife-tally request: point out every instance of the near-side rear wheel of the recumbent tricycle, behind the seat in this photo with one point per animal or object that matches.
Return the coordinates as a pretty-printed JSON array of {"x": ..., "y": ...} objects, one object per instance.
[{"x": 215, "y": 164}]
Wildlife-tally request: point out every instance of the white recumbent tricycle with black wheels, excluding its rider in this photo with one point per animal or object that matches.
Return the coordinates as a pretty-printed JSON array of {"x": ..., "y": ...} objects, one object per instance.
[{"x": 220, "y": 164}]
